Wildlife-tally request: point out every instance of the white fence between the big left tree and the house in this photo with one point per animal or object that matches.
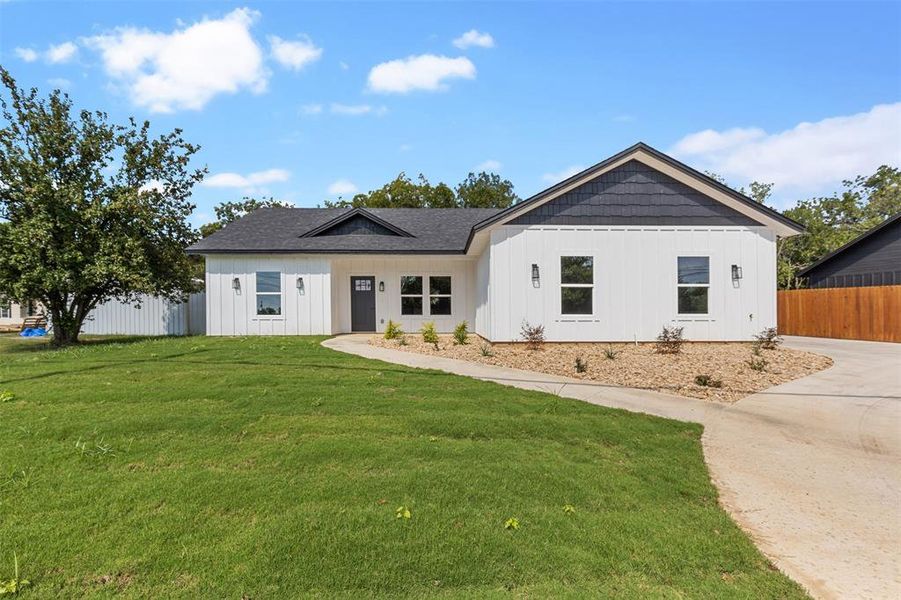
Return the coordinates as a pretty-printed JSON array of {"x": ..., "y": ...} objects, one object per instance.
[{"x": 154, "y": 316}]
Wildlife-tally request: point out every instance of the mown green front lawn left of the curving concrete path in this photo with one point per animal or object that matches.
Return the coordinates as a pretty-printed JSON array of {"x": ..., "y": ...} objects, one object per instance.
[{"x": 273, "y": 468}]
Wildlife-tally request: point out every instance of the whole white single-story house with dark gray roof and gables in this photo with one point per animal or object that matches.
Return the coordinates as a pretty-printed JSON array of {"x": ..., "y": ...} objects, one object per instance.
[{"x": 615, "y": 252}]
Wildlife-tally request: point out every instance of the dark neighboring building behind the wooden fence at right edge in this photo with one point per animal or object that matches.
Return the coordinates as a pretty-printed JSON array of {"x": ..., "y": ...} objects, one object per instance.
[{"x": 874, "y": 258}]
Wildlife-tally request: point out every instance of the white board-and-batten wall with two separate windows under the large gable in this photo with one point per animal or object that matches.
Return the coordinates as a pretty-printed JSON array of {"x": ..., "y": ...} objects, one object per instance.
[{"x": 635, "y": 291}]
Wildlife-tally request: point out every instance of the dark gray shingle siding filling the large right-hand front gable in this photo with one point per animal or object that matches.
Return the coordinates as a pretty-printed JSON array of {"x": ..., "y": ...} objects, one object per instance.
[{"x": 633, "y": 194}]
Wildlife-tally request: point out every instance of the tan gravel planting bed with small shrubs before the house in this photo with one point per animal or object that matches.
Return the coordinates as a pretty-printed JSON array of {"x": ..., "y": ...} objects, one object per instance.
[{"x": 639, "y": 366}]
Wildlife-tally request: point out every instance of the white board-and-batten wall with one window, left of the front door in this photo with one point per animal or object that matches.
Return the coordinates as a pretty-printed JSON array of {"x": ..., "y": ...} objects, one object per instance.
[{"x": 233, "y": 312}]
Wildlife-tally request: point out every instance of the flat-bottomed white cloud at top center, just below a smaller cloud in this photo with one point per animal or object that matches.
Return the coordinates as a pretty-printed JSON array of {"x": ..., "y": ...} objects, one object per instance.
[{"x": 424, "y": 72}]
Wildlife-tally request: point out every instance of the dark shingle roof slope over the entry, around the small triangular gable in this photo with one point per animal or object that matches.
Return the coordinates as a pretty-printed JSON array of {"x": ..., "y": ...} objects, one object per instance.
[{"x": 271, "y": 230}]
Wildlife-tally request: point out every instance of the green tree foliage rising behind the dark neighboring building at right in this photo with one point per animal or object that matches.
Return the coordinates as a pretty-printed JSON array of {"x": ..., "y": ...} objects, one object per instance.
[{"x": 835, "y": 220}]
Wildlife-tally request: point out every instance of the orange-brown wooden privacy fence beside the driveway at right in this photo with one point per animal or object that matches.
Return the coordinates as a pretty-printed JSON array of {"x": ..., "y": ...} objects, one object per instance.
[{"x": 861, "y": 313}]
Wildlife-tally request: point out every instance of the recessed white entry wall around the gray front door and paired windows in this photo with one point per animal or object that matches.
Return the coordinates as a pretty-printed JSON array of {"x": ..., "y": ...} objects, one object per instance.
[{"x": 389, "y": 269}]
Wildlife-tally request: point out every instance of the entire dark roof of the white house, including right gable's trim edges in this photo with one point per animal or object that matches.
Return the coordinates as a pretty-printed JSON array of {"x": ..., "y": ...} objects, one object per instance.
[{"x": 446, "y": 230}]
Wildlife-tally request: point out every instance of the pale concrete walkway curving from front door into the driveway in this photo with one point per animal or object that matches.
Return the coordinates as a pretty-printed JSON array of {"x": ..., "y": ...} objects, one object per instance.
[{"x": 810, "y": 469}]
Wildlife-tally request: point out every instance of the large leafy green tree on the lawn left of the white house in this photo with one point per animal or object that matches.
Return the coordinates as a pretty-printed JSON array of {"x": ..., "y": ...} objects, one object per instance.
[{"x": 93, "y": 210}]
